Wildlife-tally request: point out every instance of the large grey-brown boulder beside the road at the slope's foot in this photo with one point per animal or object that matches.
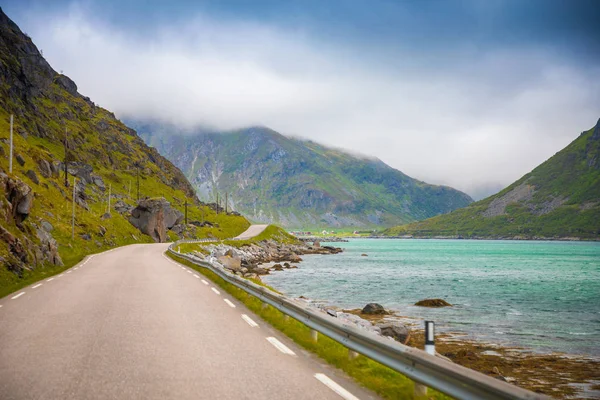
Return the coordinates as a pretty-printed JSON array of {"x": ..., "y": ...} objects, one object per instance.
[{"x": 154, "y": 217}]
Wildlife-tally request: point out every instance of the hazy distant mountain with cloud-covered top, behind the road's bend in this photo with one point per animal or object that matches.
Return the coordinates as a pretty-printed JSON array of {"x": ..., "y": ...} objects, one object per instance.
[{"x": 298, "y": 184}]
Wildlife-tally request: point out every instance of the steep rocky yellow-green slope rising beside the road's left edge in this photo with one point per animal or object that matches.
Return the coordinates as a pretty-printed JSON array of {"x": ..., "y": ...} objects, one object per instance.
[{"x": 51, "y": 118}]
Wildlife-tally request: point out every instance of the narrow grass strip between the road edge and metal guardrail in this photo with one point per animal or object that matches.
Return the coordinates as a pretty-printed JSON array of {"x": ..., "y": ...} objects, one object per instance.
[{"x": 382, "y": 380}]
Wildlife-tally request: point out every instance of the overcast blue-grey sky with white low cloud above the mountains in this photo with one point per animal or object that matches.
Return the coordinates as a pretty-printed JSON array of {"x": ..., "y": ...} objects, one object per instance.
[{"x": 471, "y": 94}]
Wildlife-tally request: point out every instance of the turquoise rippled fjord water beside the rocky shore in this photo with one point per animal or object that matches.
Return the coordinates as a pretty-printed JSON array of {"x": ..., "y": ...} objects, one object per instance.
[{"x": 544, "y": 296}]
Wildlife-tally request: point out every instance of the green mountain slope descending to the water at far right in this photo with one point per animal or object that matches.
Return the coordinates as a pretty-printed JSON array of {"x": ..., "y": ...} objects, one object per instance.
[{"x": 558, "y": 199}]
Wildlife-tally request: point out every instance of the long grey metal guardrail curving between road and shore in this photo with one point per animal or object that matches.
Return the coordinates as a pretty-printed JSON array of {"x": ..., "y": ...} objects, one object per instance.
[{"x": 447, "y": 377}]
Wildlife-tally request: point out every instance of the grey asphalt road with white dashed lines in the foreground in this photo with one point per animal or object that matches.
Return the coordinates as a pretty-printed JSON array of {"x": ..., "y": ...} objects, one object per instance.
[{"x": 132, "y": 324}]
